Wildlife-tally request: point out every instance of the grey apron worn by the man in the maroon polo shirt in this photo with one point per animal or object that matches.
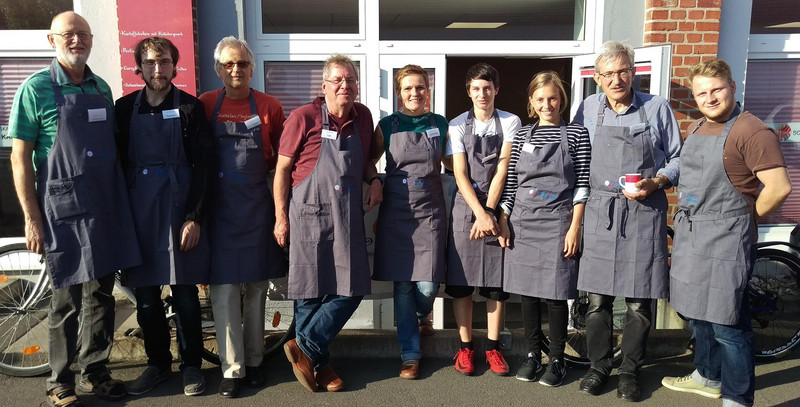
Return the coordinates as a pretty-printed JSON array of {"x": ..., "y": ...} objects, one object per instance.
[{"x": 328, "y": 250}]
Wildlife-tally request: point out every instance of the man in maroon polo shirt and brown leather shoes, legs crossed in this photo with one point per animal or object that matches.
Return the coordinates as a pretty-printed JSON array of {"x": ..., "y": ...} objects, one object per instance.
[{"x": 327, "y": 152}]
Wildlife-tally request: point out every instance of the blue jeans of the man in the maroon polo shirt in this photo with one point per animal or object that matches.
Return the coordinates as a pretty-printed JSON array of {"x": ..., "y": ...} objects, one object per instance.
[{"x": 318, "y": 321}]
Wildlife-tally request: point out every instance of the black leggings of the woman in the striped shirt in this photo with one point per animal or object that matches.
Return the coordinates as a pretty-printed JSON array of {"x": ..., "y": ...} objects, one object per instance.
[{"x": 558, "y": 314}]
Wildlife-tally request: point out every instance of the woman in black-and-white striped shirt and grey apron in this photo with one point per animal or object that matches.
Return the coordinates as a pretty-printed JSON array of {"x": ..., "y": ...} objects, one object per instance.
[{"x": 543, "y": 200}]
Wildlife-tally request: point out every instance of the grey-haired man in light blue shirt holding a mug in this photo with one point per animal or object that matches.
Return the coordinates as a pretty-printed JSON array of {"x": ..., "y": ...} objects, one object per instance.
[{"x": 625, "y": 233}]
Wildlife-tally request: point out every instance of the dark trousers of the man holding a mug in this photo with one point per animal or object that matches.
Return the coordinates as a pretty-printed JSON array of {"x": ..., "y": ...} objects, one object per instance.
[{"x": 634, "y": 334}]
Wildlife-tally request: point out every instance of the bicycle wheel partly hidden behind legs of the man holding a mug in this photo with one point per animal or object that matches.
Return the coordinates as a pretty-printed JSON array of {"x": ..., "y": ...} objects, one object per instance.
[{"x": 575, "y": 353}]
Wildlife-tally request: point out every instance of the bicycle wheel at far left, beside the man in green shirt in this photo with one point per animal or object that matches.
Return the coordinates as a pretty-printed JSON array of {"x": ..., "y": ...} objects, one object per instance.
[{"x": 25, "y": 293}]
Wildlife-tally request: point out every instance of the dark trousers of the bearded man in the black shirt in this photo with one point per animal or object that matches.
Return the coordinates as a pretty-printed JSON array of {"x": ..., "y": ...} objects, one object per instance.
[{"x": 155, "y": 328}]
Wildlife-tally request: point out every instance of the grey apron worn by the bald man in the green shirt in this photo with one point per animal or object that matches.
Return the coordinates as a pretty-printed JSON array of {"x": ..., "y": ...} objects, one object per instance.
[{"x": 88, "y": 227}]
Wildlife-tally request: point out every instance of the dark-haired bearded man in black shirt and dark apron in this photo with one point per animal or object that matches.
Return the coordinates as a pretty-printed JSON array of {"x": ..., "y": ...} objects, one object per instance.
[{"x": 163, "y": 142}]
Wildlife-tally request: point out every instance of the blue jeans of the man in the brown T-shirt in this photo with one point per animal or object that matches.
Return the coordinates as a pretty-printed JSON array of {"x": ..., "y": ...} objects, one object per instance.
[{"x": 729, "y": 349}]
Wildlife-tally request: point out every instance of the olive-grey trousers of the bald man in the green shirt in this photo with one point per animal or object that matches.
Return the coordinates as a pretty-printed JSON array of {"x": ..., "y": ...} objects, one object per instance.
[{"x": 81, "y": 313}]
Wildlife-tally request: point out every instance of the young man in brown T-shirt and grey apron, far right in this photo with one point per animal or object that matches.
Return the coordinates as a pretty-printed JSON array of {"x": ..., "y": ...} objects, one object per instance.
[{"x": 728, "y": 155}]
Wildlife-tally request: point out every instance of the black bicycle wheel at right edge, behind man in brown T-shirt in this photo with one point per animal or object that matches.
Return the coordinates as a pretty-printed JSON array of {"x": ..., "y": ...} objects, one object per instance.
[{"x": 775, "y": 304}]
